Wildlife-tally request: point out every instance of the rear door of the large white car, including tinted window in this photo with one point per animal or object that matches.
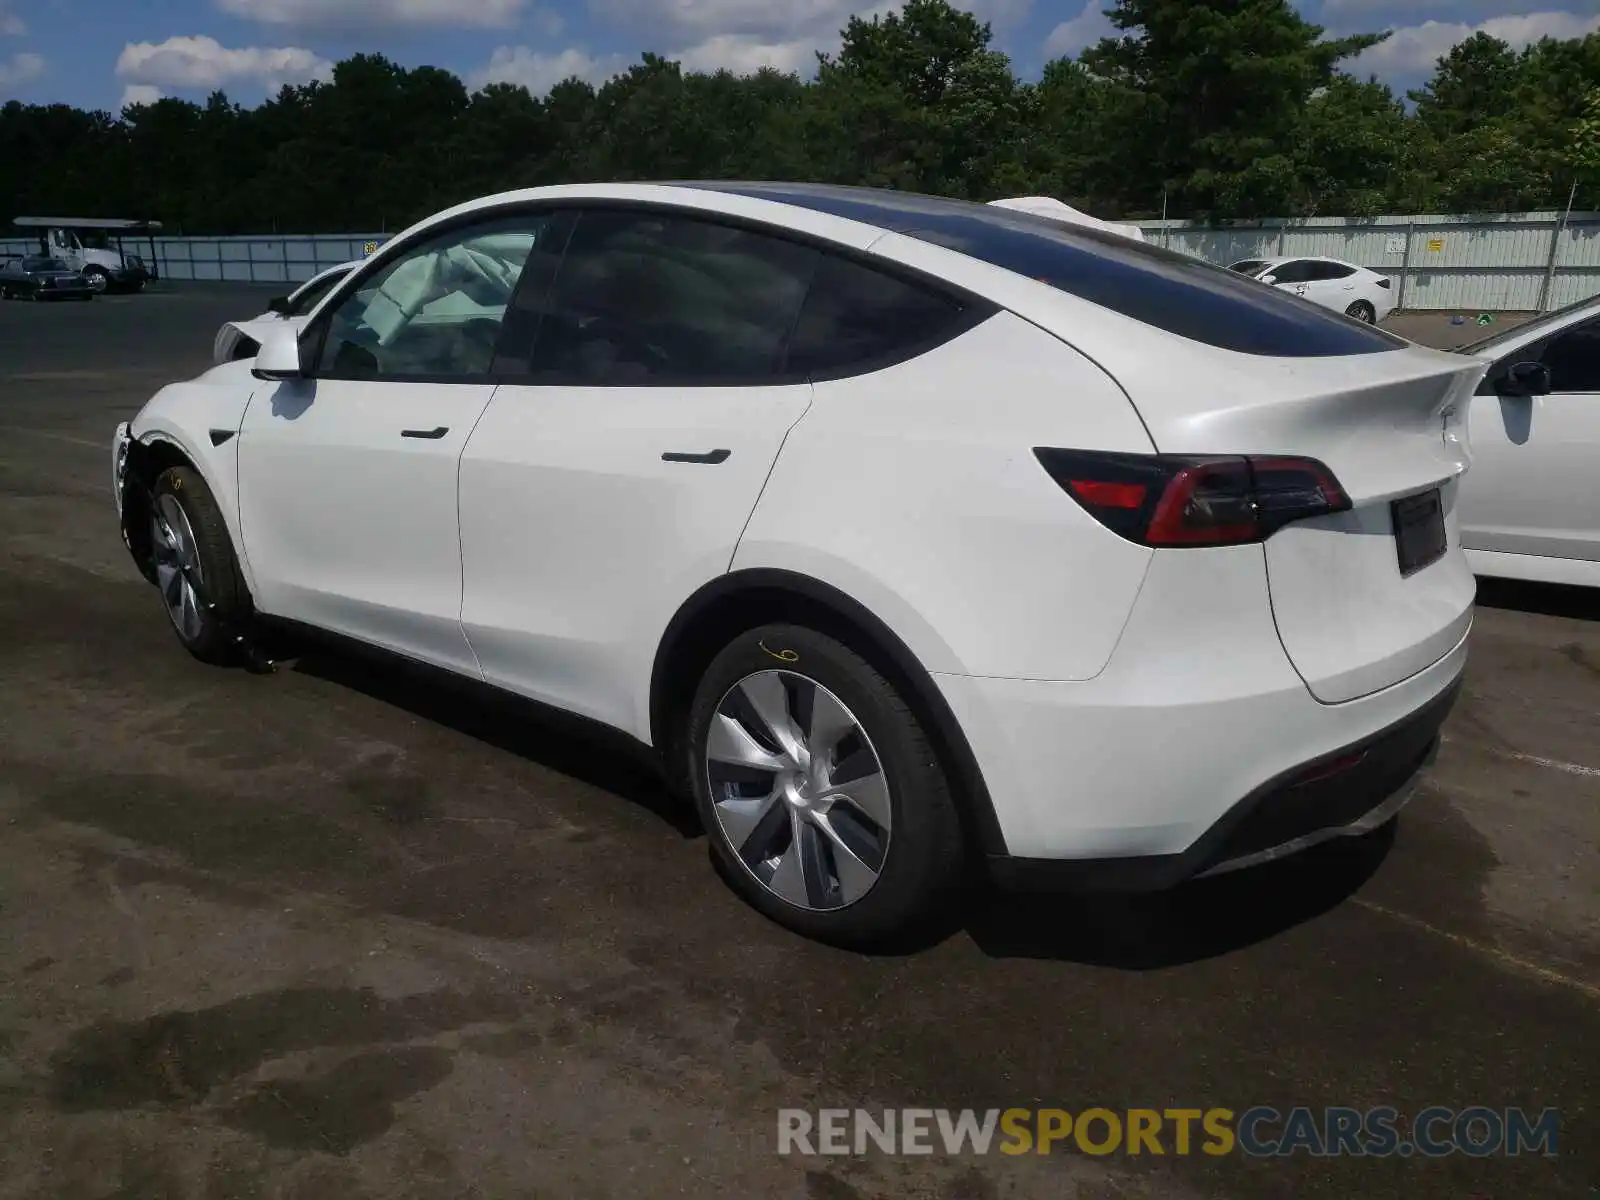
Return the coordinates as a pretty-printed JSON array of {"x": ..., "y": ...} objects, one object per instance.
[{"x": 620, "y": 462}]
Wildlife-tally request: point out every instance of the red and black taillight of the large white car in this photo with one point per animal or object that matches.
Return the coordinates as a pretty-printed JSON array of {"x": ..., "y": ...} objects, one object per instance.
[{"x": 1169, "y": 500}]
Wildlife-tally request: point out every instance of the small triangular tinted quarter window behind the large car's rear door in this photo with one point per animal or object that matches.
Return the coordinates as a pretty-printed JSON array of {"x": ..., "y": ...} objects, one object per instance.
[{"x": 858, "y": 318}]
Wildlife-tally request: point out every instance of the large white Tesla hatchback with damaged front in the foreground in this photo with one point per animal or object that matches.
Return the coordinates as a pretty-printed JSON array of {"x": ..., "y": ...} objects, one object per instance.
[{"x": 902, "y": 530}]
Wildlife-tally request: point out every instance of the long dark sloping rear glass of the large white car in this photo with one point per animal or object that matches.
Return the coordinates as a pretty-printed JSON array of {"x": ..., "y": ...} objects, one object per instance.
[{"x": 1153, "y": 286}]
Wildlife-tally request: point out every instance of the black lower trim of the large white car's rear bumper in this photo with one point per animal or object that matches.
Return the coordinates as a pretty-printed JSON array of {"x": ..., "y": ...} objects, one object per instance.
[{"x": 1343, "y": 794}]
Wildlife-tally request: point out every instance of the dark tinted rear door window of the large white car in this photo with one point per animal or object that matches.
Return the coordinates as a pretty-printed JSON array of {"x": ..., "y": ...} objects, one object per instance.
[{"x": 654, "y": 298}]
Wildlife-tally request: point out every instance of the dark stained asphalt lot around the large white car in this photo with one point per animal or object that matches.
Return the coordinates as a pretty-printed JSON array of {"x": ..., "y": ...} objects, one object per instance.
[{"x": 342, "y": 934}]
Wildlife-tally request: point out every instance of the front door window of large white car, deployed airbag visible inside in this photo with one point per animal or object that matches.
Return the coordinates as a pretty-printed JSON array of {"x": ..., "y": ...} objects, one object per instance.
[{"x": 436, "y": 311}]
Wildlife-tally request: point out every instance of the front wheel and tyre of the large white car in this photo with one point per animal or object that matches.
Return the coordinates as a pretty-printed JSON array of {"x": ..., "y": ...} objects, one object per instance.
[{"x": 194, "y": 564}]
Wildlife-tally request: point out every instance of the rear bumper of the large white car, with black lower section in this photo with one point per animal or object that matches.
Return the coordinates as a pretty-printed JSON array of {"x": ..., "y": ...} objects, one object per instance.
[{"x": 1198, "y": 719}]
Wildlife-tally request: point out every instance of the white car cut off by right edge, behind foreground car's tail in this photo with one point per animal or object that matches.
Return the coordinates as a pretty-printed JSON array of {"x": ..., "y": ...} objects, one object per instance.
[{"x": 1532, "y": 506}]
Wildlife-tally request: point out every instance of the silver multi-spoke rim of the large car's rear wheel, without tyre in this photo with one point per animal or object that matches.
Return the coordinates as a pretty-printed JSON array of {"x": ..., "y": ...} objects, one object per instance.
[{"x": 799, "y": 790}]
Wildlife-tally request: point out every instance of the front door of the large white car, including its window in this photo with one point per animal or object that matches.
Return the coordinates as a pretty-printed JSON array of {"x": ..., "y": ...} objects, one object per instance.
[{"x": 348, "y": 478}]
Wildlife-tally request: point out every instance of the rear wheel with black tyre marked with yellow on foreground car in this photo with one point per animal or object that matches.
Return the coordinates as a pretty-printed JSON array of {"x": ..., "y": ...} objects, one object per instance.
[{"x": 825, "y": 804}]
